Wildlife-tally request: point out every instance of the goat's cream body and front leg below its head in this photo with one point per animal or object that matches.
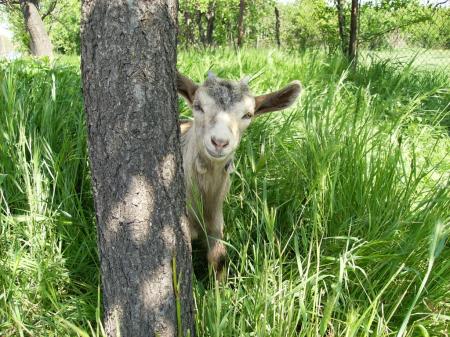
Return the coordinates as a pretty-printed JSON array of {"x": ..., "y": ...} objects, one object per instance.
[{"x": 207, "y": 184}]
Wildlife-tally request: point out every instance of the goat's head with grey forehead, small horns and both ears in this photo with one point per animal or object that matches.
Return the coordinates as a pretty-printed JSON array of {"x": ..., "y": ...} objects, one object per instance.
[{"x": 223, "y": 109}]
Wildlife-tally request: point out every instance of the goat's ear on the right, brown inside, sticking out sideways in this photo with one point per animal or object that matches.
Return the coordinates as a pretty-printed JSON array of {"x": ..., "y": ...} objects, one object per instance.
[{"x": 277, "y": 100}]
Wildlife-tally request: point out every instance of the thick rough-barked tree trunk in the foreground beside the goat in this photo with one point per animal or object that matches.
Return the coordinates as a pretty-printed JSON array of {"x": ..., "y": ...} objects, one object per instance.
[{"x": 129, "y": 84}]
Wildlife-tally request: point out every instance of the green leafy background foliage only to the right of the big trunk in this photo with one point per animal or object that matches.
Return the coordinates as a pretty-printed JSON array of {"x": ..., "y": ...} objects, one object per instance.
[{"x": 311, "y": 23}]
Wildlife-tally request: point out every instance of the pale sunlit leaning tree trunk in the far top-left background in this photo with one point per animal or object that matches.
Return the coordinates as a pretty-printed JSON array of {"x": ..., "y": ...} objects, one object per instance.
[{"x": 40, "y": 44}]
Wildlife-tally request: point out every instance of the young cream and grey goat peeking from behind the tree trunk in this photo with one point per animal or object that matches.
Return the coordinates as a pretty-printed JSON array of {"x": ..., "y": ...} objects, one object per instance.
[{"x": 222, "y": 111}]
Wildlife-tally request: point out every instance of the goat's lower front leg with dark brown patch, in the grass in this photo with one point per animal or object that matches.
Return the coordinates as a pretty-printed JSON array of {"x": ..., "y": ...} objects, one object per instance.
[{"x": 216, "y": 249}]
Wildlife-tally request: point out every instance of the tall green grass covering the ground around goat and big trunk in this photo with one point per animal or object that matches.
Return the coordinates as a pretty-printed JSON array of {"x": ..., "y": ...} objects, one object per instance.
[{"x": 337, "y": 220}]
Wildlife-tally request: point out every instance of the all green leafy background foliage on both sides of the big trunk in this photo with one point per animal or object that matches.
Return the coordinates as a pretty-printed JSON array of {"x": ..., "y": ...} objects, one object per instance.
[{"x": 305, "y": 24}]
